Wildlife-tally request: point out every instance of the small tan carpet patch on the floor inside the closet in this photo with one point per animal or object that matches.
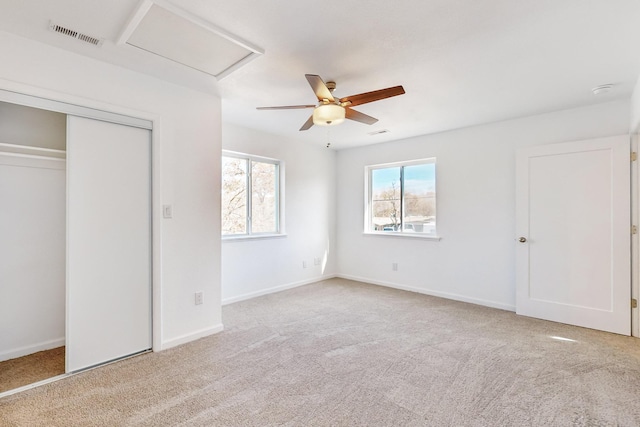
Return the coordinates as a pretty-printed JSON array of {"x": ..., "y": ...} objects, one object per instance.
[{"x": 29, "y": 369}]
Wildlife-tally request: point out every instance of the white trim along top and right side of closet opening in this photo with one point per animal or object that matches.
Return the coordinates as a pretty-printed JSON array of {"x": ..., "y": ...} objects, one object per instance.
[{"x": 30, "y": 96}]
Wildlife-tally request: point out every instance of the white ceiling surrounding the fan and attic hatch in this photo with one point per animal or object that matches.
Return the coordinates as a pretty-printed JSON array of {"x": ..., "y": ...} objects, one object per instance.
[{"x": 461, "y": 62}]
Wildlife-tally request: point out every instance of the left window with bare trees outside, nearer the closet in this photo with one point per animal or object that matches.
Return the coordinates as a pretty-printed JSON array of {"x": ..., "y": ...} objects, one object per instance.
[{"x": 250, "y": 195}]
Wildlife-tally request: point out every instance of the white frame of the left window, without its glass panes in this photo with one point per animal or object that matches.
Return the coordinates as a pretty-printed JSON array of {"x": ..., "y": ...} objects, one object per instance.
[{"x": 279, "y": 196}]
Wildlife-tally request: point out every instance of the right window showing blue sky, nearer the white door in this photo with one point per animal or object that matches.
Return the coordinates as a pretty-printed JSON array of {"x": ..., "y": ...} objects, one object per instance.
[{"x": 401, "y": 198}]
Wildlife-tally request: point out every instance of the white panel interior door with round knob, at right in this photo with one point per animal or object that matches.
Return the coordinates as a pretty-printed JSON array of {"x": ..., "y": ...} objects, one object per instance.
[{"x": 573, "y": 210}]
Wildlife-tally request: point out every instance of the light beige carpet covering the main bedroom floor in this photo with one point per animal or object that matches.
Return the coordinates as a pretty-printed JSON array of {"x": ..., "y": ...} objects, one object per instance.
[{"x": 342, "y": 353}]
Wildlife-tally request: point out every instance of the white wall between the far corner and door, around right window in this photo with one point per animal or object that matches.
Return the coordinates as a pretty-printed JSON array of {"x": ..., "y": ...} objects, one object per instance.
[{"x": 475, "y": 259}]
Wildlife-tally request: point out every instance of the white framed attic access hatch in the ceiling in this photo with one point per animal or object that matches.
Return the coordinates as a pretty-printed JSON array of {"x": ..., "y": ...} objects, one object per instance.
[{"x": 161, "y": 28}]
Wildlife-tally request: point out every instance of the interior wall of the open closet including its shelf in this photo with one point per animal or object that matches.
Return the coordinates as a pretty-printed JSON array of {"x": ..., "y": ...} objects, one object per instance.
[{"x": 33, "y": 230}]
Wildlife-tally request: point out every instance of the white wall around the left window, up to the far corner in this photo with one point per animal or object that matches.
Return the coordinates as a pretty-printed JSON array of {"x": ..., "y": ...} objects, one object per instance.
[{"x": 256, "y": 267}]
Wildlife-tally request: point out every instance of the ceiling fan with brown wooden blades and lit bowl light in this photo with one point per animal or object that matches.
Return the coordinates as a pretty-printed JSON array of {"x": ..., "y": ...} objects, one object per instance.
[{"x": 332, "y": 111}]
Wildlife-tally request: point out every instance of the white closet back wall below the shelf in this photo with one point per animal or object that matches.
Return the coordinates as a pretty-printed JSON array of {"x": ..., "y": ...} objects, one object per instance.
[{"x": 32, "y": 255}]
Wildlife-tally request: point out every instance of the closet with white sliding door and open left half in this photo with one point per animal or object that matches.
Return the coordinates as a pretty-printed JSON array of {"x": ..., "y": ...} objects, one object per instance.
[{"x": 75, "y": 232}]
